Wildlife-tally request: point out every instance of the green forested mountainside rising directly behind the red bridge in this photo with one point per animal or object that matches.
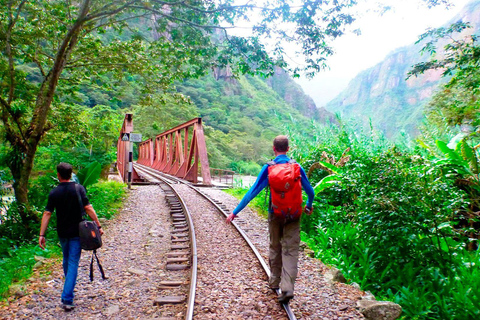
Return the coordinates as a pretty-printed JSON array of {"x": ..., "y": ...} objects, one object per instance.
[{"x": 241, "y": 115}]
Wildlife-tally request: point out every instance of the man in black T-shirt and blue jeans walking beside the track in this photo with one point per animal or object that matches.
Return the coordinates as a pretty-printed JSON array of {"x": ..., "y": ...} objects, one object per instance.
[{"x": 65, "y": 201}]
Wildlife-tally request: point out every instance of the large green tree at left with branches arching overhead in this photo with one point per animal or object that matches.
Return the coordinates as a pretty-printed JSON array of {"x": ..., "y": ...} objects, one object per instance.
[{"x": 50, "y": 48}]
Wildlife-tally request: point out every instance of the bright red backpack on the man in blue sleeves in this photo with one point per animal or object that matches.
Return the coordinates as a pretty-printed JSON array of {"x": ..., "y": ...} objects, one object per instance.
[{"x": 286, "y": 189}]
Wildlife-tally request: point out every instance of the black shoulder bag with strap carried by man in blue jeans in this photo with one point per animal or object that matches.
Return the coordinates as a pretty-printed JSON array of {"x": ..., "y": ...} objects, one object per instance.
[{"x": 90, "y": 238}]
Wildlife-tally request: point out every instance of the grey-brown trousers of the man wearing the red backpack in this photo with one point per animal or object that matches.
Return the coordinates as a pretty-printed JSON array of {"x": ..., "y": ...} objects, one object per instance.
[{"x": 283, "y": 253}]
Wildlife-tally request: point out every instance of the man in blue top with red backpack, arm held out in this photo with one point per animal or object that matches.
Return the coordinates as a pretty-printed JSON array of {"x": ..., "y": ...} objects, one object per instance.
[{"x": 285, "y": 178}]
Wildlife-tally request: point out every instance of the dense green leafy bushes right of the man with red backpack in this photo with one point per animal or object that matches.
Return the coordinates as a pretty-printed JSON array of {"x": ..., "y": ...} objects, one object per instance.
[{"x": 390, "y": 222}]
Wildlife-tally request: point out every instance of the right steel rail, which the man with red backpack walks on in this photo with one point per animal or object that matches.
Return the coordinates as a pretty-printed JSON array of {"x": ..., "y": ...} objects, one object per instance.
[{"x": 266, "y": 269}]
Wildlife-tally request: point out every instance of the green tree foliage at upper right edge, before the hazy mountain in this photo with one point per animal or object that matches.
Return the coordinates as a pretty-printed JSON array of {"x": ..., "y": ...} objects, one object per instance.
[{"x": 457, "y": 103}]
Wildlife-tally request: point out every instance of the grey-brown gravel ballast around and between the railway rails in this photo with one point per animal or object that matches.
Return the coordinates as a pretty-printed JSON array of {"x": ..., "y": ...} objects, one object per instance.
[{"x": 231, "y": 283}]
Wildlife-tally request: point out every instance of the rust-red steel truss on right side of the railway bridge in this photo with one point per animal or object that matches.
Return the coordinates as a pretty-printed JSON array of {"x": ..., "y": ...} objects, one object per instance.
[{"x": 178, "y": 152}]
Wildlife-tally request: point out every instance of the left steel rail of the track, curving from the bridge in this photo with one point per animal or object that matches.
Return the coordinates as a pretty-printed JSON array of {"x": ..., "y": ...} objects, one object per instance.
[{"x": 193, "y": 246}]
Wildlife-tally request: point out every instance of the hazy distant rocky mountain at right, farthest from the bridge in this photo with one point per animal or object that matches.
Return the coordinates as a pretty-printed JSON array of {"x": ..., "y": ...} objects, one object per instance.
[{"x": 383, "y": 94}]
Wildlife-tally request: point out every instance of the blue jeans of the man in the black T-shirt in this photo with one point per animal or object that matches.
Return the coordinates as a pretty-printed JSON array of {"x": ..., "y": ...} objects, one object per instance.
[{"x": 71, "y": 256}]
